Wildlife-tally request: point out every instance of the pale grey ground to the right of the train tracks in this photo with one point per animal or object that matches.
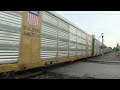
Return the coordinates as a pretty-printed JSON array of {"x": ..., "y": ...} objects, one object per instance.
[{"x": 91, "y": 69}]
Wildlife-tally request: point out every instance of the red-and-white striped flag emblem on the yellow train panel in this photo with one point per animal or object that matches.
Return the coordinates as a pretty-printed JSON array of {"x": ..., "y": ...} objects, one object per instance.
[{"x": 33, "y": 18}]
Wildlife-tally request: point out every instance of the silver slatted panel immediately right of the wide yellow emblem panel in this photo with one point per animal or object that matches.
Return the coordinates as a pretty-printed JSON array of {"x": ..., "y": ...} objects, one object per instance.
[{"x": 49, "y": 36}]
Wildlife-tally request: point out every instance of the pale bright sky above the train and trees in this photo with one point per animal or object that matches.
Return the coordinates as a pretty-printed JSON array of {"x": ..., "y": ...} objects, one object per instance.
[{"x": 97, "y": 22}]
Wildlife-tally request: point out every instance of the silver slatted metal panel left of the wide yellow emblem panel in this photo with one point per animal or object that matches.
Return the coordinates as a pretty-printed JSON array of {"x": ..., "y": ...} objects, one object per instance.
[{"x": 10, "y": 24}]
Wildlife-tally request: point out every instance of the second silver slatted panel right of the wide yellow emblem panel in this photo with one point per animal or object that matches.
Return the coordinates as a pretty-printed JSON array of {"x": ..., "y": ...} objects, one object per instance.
[{"x": 63, "y": 36}]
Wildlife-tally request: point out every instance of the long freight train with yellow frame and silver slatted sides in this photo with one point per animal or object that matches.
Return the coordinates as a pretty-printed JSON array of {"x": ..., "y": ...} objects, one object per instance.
[{"x": 31, "y": 39}]
